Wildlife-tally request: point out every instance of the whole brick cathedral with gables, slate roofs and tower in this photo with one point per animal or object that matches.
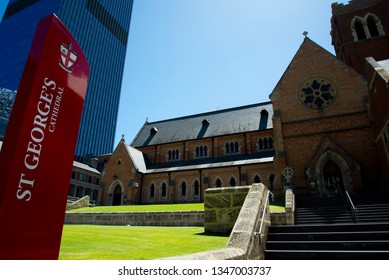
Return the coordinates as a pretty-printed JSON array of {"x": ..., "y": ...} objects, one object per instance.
[{"x": 324, "y": 131}]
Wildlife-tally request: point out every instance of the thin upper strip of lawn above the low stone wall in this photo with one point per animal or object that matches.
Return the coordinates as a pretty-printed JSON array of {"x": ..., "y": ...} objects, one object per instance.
[{"x": 276, "y": 206}]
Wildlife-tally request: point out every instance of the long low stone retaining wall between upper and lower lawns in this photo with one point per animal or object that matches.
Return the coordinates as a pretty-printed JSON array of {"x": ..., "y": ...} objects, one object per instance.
[{"x": 167, "y": 218}]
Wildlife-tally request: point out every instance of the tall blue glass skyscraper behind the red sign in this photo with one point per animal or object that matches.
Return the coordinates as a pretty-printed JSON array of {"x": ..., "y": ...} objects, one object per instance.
[{"x": 101, "y": 27}]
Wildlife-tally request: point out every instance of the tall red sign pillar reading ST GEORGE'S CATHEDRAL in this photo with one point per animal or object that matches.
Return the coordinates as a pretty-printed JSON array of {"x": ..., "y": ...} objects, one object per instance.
[{"x": 36, "y": 158}]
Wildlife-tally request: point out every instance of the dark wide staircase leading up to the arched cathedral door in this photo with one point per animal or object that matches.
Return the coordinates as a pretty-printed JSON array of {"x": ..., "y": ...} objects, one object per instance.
[{"x": 324, "y": 230}]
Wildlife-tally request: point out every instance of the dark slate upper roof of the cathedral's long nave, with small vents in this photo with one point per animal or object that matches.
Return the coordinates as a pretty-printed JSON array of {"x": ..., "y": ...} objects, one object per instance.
[{"x": 216, "y": 123}]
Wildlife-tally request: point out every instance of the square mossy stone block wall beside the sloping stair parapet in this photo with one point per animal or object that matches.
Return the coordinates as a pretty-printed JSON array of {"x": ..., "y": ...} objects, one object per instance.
[{"x": 222, "y": 207}]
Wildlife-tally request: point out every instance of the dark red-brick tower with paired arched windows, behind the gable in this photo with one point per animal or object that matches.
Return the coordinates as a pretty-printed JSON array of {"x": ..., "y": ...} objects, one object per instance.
[{"x": 360, "y": 29}]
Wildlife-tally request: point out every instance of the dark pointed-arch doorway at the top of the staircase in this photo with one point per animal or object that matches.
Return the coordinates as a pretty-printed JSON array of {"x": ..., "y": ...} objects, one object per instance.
[{"x": 333, "y": 178}]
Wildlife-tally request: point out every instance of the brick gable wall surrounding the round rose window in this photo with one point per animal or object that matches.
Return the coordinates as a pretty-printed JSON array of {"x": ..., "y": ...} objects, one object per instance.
[{"x": 304, "y": 131}]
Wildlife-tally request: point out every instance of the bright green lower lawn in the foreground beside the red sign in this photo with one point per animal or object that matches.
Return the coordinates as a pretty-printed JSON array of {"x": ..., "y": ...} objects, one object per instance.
[{"x": 93, "y": 242}]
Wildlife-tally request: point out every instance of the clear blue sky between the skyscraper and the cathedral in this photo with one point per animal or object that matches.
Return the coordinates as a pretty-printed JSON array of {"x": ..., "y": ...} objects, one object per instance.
[{"x": 188, "y": 57}]
